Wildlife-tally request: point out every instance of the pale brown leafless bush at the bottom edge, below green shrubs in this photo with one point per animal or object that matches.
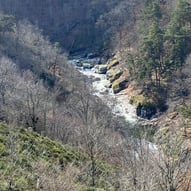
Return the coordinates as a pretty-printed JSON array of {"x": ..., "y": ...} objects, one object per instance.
[{"x": 51, "y": 177}]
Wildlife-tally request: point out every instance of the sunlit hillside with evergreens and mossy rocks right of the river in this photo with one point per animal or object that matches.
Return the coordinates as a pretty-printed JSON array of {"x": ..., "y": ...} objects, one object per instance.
[{"x": 154, "y": 59}]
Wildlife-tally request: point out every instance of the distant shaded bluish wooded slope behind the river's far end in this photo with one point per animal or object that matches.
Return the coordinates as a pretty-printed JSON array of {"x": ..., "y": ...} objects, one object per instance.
[{"x": 76, "y": 25}]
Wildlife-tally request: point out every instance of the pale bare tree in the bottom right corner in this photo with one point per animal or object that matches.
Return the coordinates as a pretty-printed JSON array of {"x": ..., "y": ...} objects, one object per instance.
[{"x": 173, "y": 163}]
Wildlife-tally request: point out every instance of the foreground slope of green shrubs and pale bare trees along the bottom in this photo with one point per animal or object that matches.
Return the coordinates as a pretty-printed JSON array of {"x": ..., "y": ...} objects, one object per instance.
[{"x": 29, "y": 161}]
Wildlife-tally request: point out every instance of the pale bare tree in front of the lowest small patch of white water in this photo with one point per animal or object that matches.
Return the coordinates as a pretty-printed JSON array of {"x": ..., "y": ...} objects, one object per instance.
[{"x": 138, "y": 172}]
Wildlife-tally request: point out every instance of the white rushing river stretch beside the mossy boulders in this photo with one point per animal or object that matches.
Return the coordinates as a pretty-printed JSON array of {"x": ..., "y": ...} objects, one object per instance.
[{"x": 118, "y": 102}]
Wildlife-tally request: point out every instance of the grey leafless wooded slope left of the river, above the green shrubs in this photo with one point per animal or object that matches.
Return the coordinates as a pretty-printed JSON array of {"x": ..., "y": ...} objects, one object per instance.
[{"x": 39, "y": 89}]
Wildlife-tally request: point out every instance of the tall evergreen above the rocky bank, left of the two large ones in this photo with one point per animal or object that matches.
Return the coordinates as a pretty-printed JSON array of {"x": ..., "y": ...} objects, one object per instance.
[{"x": 151, "y": 52}]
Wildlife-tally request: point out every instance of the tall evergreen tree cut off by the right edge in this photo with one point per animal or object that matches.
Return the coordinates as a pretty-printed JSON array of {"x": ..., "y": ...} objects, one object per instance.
[{"x": 178, "y": 37}]
